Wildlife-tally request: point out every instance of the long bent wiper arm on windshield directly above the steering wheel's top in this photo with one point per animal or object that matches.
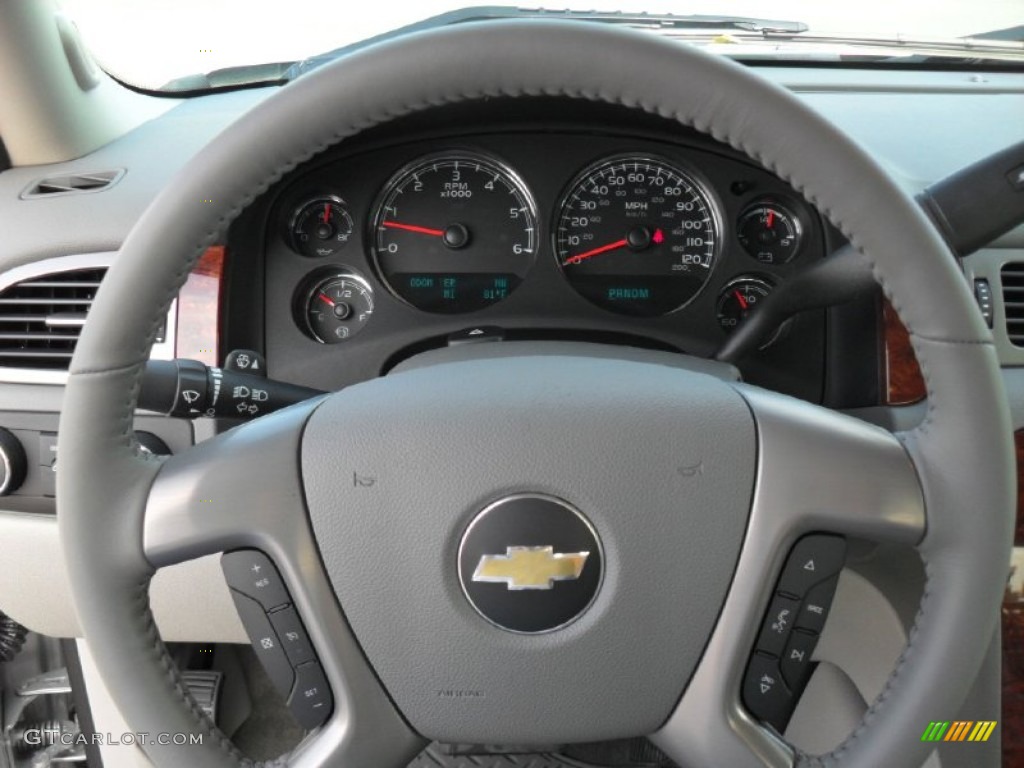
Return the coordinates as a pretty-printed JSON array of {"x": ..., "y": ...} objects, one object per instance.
[{"x": 666, "y": 23}]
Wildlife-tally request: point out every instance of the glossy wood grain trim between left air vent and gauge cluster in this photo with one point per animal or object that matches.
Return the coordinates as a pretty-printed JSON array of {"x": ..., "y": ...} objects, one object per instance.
[{"x": 200, "y": 307}]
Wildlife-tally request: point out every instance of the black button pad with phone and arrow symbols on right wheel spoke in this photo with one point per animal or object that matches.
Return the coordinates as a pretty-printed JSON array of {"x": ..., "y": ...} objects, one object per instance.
[{"x": 782, "y": 663}]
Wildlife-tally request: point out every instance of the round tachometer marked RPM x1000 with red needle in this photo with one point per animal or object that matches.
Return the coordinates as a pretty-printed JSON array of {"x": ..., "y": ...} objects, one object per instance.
[{"x": 454, "y": 233}]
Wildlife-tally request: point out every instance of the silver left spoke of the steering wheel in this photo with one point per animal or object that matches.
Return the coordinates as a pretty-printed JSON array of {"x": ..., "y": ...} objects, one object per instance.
[{"x": 243, "y": 490}]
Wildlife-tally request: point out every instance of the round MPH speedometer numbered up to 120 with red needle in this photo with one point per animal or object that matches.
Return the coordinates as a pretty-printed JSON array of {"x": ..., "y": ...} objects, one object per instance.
[{"x": 637, "y": 236}]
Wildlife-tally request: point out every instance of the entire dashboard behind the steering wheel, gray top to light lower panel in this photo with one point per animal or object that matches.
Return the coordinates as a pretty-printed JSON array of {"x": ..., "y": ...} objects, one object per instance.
[{"x": 340, "y": 231}]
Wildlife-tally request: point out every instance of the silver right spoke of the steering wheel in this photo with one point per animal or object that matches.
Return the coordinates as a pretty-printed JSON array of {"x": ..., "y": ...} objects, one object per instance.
[{"x": 818, "y": 472}]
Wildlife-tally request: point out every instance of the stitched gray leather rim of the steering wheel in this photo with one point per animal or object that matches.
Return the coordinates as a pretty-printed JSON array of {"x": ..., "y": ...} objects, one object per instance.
[{"x": 963, "y": 451}]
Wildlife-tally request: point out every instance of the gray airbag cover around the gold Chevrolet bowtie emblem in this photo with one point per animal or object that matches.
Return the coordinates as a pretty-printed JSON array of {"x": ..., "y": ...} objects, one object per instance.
[{"x": 661, "y": 461}]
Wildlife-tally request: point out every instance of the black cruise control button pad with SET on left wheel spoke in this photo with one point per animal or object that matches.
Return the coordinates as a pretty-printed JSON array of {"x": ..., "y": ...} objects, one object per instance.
[{"x": 278, "y": 636}]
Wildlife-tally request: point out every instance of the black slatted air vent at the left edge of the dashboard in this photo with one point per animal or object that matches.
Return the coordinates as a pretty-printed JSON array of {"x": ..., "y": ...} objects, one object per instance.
[{"x": 41, "y": 318}]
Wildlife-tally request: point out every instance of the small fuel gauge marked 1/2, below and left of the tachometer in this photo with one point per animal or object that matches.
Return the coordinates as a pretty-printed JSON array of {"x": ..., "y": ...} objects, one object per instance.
[{"x": 336, "y": 308}]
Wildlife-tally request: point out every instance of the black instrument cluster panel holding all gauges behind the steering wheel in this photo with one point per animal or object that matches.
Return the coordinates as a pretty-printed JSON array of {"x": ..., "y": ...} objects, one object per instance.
[{"x": 553, "y": 222}]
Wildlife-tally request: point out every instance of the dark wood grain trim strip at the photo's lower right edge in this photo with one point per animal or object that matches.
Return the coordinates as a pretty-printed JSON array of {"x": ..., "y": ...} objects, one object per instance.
[{"x": 1012, "y": 724}]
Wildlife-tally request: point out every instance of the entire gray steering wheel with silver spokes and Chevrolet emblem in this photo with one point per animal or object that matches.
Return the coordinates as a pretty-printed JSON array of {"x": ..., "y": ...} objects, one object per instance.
[{"x": 687, "y": 562}]
